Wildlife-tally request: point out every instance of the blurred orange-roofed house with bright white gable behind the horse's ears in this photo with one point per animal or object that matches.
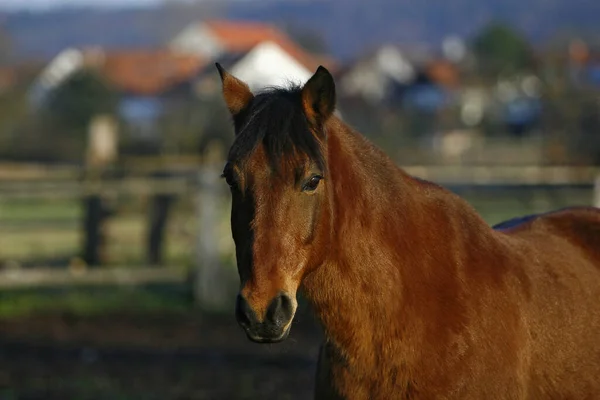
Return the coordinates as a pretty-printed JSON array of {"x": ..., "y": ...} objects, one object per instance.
[{"x": 257, "y": 53}]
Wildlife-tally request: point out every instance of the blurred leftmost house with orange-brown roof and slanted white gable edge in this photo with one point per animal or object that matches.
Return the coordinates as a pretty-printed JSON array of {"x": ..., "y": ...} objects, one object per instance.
[{"x": 148, "y": 82}]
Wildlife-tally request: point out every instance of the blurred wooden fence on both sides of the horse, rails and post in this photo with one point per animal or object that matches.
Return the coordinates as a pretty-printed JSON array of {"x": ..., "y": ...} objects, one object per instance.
[{"x": 203, "y": 183}]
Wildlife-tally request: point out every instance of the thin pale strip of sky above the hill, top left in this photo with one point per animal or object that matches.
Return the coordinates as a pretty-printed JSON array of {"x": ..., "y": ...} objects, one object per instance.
[{"x": 41, "y": 5}]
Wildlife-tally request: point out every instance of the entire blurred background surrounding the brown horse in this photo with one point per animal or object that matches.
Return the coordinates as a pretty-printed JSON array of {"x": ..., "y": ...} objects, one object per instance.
[{"x": 117, "y": 272}]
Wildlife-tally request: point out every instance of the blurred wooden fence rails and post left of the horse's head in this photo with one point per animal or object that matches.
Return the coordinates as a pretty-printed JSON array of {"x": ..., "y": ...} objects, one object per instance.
[{"x": 201, "y": 183}]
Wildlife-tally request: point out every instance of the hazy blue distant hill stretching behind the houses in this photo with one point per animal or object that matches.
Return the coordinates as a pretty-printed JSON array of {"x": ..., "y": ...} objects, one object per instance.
[{"x": 347, "y": 26}]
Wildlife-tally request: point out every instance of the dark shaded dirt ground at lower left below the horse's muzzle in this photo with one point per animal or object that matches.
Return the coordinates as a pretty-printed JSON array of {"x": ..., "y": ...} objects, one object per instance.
[{"x": 151, "y": 357}]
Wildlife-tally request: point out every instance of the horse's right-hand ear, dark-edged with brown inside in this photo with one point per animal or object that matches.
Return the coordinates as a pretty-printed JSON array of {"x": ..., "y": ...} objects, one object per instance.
[{"x": 318, "y": 96}]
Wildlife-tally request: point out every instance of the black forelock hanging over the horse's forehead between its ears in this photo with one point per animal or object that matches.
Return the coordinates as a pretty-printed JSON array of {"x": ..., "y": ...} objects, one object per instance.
[{"x": 276, "y": 119}]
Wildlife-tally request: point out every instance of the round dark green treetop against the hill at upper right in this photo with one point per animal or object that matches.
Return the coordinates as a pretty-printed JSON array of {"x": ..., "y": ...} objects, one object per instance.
[{"x": 501, "y": 50}]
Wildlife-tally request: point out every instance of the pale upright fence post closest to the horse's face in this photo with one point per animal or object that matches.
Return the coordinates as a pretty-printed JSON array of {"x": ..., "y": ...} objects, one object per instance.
[{"x": 211, "y": 285}]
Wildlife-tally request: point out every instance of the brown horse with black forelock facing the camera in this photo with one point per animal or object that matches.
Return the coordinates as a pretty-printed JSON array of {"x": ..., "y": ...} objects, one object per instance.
[{"x": 419, "y": 298}]
